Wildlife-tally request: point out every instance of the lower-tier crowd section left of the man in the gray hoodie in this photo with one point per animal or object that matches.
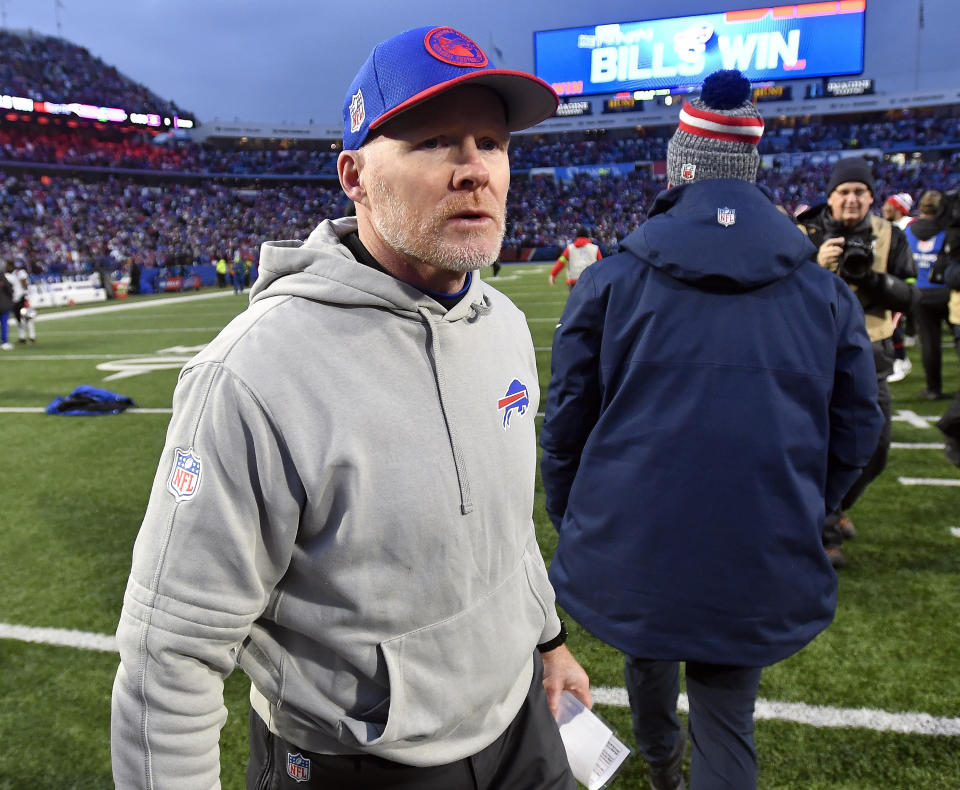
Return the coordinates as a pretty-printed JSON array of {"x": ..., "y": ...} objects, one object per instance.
[{"x": 68, "y": 225}]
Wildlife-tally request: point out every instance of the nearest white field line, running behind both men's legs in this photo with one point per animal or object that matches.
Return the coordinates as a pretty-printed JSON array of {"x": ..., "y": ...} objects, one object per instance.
[{"x": 798, "y": 712}]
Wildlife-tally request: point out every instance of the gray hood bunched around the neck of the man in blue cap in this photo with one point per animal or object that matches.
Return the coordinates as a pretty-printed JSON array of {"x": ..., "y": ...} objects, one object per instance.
[{"x": 322, "y": 268}]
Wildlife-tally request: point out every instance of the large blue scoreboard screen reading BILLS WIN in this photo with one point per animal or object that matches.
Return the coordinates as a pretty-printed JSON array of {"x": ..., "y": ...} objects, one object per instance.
[{"x": 774, "y": 43}]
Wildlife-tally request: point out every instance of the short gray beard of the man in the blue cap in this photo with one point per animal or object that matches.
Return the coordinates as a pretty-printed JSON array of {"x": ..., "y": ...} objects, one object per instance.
[{"x": 425, "y": 244}]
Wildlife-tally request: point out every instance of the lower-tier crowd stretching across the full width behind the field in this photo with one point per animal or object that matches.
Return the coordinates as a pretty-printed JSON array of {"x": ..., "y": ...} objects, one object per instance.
[{"x": 59, "y": 223}]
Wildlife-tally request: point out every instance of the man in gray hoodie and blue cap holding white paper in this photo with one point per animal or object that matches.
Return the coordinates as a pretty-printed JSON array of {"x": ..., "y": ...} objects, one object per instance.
[{"x": 343, "y": 507}]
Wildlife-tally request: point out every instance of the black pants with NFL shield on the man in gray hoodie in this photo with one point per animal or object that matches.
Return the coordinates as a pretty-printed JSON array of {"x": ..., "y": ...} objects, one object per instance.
[{"x": 529, "y": 755}]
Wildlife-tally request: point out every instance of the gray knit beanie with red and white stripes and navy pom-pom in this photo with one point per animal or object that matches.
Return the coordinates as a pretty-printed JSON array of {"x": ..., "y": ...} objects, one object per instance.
[{"x": 718, "y": 133}]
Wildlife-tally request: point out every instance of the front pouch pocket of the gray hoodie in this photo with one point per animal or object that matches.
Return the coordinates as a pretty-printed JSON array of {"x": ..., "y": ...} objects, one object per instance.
[{"x": 456, "y": 672}]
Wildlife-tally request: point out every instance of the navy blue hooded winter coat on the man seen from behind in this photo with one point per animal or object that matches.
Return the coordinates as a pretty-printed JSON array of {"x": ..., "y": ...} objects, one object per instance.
[{"x": 713, "y": 395}]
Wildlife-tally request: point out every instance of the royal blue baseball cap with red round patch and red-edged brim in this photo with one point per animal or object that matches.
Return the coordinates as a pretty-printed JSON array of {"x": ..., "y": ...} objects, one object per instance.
[{"x": 417, "y": 64}]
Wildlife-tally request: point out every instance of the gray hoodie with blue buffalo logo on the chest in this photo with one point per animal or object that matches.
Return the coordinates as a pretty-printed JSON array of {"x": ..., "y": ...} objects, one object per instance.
[{"x": 343, "y": 509}]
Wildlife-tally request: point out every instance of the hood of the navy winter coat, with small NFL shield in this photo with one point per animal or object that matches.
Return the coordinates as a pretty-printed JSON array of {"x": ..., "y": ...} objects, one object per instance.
[{"x": 723, "y": 234}]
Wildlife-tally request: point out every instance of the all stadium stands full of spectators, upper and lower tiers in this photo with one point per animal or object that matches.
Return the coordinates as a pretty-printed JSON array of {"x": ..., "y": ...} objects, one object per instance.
[{"x": 75, "y": 197}]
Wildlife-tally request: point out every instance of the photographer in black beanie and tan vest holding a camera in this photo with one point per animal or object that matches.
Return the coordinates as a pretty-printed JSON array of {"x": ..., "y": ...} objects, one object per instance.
[{"x": 872, "y": 255}]
